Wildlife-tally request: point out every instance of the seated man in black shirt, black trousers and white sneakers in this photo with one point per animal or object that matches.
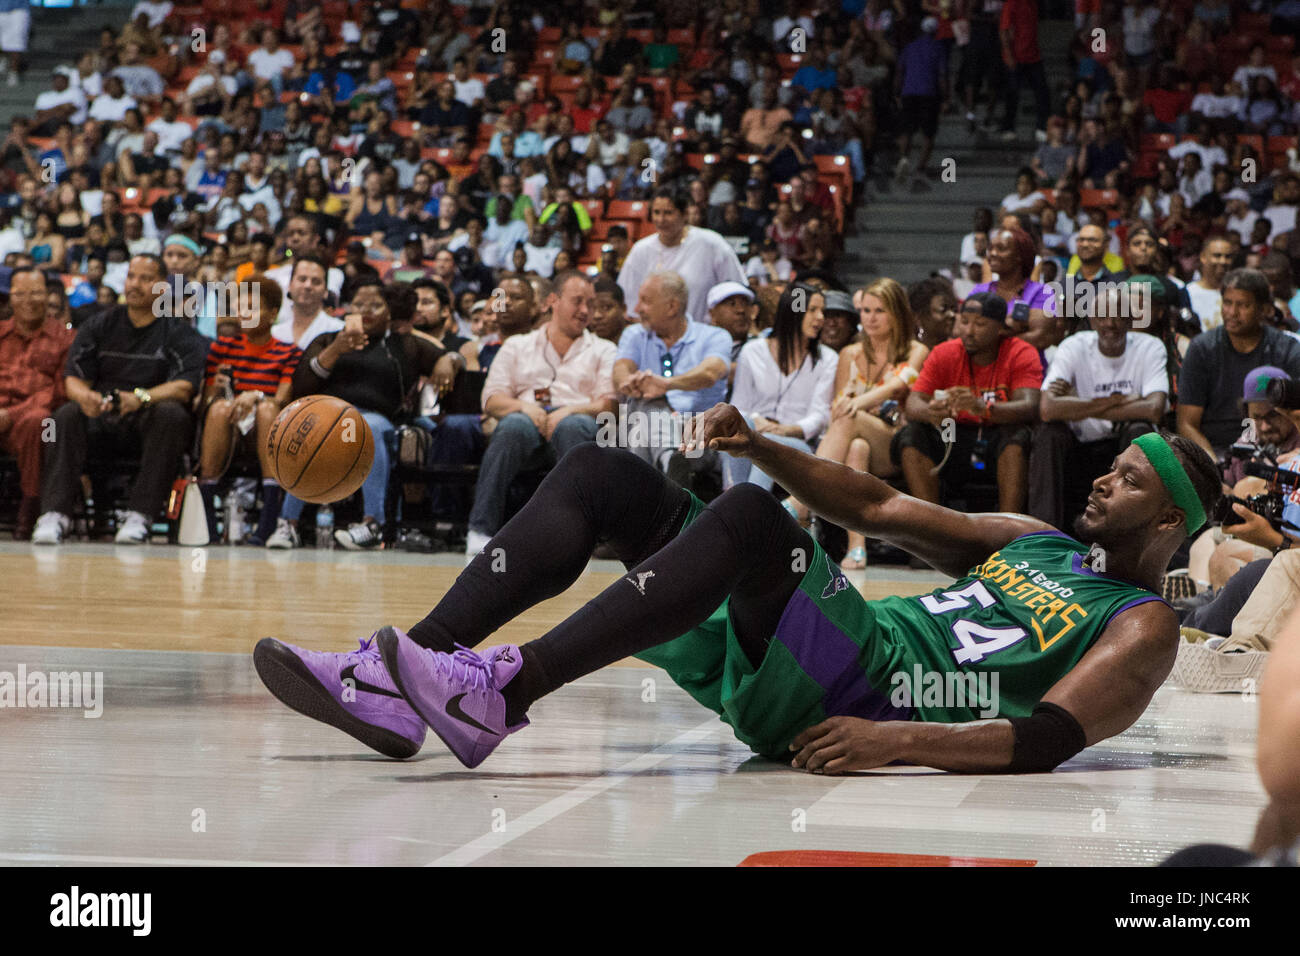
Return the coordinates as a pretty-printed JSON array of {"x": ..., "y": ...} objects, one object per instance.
[{"x": 131, "y": 378}]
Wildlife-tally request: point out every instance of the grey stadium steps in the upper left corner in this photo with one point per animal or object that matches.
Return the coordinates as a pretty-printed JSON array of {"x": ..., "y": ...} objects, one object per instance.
[{"x": 58, "y": 37}]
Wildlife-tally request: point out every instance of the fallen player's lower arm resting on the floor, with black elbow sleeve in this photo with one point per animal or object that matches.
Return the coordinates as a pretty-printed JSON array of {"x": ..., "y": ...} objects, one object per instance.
[{"x": 1106, "y": 694}]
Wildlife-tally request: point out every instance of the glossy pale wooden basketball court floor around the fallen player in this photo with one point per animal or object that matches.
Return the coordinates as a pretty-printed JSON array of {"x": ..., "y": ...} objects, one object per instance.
[{"x": 192, "y": 762}]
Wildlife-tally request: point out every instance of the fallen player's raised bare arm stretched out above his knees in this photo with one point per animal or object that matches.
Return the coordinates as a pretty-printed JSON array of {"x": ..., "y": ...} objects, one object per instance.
[{"x": 950, "y": 540}]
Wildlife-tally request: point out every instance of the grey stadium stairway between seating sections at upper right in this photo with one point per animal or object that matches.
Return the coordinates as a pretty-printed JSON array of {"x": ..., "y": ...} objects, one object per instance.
[{"x": 911, "y": 231}]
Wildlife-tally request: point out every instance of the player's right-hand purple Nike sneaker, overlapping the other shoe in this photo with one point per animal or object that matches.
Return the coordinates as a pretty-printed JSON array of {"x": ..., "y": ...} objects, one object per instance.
[{"x": 458, "y": 695}]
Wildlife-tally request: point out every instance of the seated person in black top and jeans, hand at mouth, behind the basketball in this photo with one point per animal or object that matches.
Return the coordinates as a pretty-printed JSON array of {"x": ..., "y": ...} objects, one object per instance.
[{"x": 376, "y": 370}]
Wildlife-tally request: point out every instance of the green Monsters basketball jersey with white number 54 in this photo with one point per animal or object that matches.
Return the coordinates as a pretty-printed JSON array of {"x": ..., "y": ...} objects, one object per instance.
[{"x": 999, "y": 638}]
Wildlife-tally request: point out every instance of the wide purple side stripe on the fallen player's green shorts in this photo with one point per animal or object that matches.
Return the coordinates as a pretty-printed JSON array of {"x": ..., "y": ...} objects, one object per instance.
[{"x": 831, "y": 659}]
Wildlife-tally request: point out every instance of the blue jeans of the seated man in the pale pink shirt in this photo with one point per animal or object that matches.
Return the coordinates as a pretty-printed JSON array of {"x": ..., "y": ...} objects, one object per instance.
[{"x": 515, "y": 444}]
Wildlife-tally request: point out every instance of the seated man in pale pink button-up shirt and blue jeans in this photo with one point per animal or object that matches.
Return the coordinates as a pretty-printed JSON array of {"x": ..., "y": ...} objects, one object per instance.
[{"x": 545, "y": 388}]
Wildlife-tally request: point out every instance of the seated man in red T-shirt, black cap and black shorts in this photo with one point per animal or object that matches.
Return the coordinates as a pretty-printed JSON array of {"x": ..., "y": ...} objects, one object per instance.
[{"x": 972, "y": 409}]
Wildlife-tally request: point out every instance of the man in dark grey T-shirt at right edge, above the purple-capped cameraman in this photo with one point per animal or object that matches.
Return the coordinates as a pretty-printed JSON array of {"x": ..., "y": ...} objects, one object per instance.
[{"x": 1219, "y": 361}]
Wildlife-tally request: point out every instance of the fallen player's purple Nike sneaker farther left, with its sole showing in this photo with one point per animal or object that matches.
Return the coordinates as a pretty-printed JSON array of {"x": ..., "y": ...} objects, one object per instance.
[{"x": 349, "y": 691}]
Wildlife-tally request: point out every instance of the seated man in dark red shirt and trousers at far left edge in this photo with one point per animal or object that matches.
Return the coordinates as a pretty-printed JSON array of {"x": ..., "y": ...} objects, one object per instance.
[{"x": 33, "y": 354}]
